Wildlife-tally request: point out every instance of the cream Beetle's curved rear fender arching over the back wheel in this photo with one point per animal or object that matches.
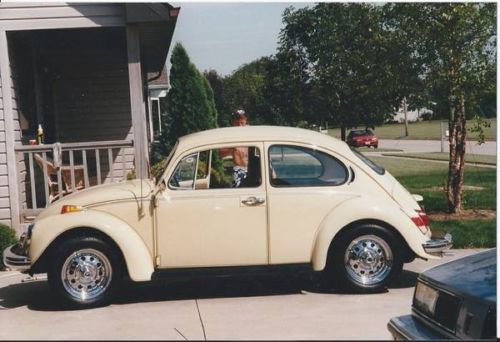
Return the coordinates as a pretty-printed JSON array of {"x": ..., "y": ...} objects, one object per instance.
[{"x": 363, "y": 209}]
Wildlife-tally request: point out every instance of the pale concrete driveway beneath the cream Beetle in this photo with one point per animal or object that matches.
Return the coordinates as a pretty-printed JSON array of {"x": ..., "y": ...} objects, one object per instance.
[{"x": 249, "y": 309}]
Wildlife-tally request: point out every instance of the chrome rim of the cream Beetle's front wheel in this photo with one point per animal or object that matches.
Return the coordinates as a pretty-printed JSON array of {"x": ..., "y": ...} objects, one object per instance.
[{"x": 86, "y": 274}]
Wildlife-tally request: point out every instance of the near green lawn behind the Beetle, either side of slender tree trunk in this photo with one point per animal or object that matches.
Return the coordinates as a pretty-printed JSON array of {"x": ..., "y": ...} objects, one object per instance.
[{"x": 428, "y": 179}]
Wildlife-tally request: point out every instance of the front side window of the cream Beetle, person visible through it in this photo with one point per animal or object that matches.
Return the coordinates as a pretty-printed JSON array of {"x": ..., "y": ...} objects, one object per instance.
[{"x": 233, "y": 167}]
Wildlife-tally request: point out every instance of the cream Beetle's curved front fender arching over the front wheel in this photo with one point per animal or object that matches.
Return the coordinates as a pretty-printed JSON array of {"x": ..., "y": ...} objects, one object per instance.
[{"x": 138, "y": 258}]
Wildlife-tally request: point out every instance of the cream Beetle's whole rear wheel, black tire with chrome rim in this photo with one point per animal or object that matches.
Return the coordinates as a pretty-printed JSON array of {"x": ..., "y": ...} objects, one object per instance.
[{"x": 375, "y": 259}]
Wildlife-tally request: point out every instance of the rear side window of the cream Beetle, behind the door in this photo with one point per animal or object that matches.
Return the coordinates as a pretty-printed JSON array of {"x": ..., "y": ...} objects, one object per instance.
[{"x": 300, "y": 166}]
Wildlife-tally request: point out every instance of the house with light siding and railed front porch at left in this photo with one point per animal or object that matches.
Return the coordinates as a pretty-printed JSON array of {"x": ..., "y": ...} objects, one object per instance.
[{"x": 90, "y": 75}]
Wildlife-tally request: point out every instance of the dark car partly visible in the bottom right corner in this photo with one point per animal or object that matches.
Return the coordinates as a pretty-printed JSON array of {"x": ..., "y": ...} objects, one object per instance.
[{"x": 456, "y": 300}]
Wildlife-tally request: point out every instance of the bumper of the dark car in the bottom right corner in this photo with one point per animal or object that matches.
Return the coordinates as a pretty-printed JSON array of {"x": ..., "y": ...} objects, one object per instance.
[{"x": 410, "y": 328}]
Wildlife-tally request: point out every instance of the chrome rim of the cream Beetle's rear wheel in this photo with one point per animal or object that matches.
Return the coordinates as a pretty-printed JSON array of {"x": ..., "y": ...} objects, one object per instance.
[{"x": 368, "y": 260}]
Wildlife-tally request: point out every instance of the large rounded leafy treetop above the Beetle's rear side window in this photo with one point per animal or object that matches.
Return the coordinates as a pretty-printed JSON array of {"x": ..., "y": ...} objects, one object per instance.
[{"x": 346, "y": 59}]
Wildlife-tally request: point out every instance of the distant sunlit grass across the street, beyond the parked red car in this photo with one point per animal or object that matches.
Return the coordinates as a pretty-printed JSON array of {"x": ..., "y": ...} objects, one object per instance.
[{"x": 424, "y": 130}]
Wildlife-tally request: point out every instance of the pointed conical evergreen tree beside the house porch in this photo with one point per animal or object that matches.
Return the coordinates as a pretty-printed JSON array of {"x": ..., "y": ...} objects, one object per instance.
[{"x": 189, "y": 104}]
